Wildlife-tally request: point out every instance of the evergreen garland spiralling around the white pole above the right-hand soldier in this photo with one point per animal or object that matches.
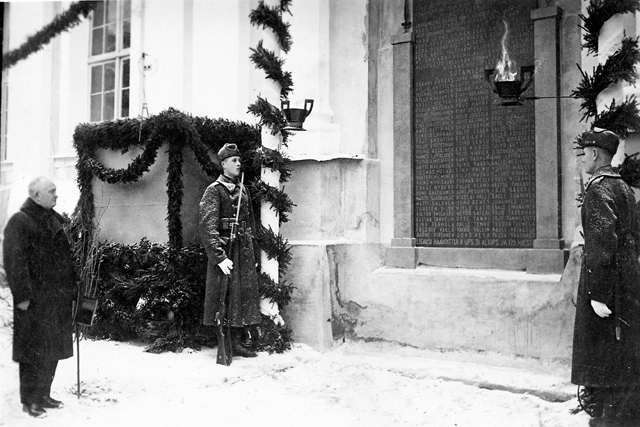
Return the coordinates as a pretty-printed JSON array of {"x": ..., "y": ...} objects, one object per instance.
[{"x": 622, "y": 116}]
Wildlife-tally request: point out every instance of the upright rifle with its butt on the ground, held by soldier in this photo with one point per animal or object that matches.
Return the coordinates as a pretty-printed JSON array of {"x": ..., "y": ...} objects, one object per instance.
[{"x": 223, "y": 329}]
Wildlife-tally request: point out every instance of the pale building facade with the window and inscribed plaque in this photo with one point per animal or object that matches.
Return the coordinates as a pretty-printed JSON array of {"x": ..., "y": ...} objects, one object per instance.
[{"x": 379, "y": 251}]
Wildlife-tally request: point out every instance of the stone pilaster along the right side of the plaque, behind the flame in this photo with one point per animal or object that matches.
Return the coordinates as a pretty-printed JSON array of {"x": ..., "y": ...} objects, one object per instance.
[{"x": 547, "y": 254}]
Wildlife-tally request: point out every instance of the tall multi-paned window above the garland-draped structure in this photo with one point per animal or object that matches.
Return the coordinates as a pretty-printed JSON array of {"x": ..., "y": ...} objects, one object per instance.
[{"x": 109, "y": 62}]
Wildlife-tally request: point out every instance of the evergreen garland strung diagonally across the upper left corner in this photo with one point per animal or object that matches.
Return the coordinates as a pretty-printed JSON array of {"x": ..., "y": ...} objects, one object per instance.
[{"x": 62, "y": 22}]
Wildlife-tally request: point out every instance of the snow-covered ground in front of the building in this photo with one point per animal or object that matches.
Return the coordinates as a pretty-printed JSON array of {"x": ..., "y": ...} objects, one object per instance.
[{"x": 358, "y": 384}]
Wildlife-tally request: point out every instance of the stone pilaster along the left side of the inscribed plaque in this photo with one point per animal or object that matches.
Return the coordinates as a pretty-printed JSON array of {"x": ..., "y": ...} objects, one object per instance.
[{"x": 402, "y": 253}]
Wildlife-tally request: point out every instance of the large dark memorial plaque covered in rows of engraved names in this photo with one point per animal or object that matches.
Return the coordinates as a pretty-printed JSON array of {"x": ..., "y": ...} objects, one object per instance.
[{"x": 474, "y": 160}]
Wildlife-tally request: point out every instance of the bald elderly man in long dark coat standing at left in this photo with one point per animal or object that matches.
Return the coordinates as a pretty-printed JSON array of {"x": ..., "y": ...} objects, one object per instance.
[{"x": 40, "y": 271}]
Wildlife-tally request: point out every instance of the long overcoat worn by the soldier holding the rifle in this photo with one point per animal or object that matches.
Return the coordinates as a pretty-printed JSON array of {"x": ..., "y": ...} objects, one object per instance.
[{"x": 218, "y": 206}]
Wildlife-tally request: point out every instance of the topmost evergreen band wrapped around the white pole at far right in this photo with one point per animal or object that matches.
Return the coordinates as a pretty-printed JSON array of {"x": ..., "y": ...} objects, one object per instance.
[{"x": 599, "y": 12}]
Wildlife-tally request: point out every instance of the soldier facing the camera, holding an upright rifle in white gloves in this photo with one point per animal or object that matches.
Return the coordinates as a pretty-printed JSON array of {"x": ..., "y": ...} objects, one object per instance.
[{"x": 218, "y": 209}]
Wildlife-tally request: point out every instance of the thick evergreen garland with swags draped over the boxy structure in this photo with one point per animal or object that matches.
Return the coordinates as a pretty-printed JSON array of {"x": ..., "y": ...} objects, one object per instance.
[{"x": 178, "y": 130}]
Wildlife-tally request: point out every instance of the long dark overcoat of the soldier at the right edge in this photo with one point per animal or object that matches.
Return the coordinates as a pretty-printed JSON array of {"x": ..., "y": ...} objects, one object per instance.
[{"x": 610, "y": 274}]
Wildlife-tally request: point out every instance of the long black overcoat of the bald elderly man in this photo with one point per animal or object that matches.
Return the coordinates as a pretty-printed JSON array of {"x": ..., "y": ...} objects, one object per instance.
[{"x": 39, "y": 266}]
